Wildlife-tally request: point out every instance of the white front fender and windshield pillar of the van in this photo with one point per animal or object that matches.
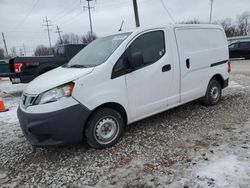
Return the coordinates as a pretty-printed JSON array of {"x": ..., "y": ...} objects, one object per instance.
[{"x": 93, "y": 91}]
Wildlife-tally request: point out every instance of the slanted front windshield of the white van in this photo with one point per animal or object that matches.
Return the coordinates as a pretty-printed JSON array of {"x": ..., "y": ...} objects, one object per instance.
[{"x": 97, "y": 52}]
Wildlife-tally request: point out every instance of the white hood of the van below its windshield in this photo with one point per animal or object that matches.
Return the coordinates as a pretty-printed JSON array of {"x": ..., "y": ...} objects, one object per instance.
[{"x": 54, "y": 78}]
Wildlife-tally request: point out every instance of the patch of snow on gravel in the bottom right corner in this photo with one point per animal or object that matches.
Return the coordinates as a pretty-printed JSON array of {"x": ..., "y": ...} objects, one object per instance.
[{"x": 227, "y": 166}]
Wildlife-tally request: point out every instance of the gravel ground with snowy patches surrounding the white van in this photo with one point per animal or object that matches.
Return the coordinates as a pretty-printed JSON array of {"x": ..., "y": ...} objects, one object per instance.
[{"x": 189, "y": 146}]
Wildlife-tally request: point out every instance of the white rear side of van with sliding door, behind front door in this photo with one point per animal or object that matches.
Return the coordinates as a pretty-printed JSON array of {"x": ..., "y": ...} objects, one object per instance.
[{"x": 199, "y": 48}]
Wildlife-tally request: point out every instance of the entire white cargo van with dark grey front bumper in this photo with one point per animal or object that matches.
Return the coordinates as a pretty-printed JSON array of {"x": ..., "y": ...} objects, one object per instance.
[{"x": 123, "y": 78}]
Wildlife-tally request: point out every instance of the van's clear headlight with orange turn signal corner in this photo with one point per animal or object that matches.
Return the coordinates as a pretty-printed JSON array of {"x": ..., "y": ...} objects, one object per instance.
[{"x": 56, "y": 94}]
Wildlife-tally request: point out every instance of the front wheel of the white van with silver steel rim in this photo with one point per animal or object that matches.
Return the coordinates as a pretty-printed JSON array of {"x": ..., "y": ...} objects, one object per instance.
[{"x": 104, "y": 128}]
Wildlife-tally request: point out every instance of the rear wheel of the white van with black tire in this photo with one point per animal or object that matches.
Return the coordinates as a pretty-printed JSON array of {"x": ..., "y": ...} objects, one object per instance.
[{"x": 213, "y": 94}]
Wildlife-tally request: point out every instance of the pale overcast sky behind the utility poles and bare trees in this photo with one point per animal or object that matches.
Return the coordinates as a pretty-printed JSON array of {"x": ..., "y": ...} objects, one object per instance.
[{"x": 21, "y": 20}]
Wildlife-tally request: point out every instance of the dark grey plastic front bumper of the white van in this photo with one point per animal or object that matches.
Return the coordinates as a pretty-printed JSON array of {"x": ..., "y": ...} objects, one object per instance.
[{"x": 54, "y": 128}]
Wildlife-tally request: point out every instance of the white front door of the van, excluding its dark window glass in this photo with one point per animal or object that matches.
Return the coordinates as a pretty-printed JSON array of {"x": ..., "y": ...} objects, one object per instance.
[{"x": 148, "y": 88}]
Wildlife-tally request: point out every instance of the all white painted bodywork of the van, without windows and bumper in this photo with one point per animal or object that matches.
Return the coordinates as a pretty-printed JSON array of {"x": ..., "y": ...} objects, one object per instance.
[{"x": 148, "y": 90}]
